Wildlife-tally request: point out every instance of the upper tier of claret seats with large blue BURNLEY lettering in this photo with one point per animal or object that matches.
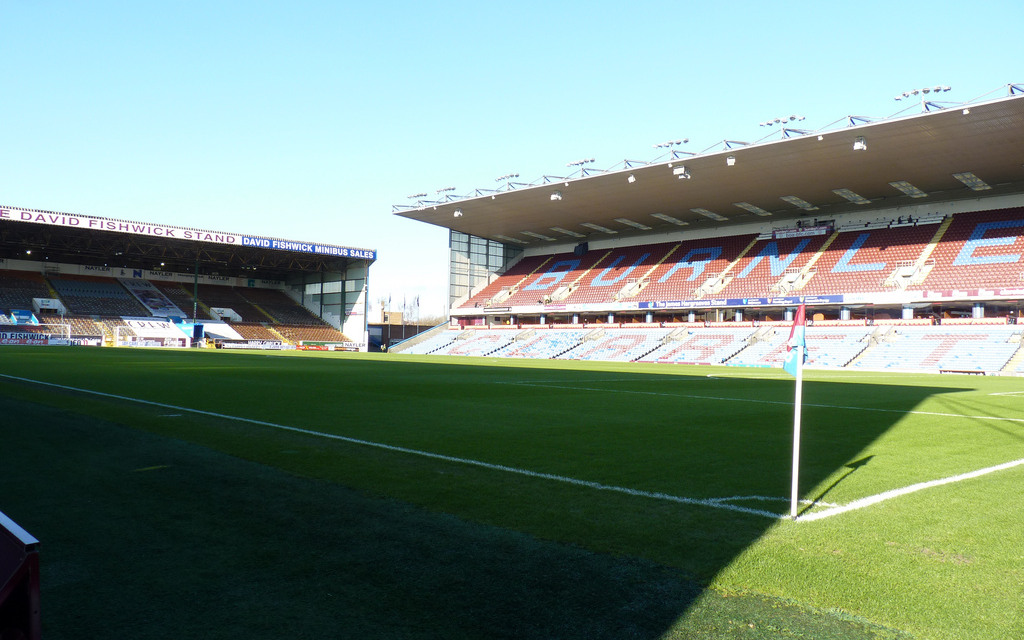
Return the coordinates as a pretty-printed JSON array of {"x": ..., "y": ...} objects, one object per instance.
[{"x": 928, "y": 252}]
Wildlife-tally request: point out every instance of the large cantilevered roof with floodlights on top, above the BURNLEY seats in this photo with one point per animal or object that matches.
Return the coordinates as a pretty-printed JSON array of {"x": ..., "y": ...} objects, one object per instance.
[{"x": 747, "y": 184}]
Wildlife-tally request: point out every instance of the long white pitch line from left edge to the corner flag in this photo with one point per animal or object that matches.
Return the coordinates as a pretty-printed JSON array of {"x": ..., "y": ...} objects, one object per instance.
[{"x": 713, "y": 503}]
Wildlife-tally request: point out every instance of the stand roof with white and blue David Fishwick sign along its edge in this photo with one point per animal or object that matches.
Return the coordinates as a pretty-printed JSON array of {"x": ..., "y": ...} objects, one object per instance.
[{"x": 92, "y": 241}]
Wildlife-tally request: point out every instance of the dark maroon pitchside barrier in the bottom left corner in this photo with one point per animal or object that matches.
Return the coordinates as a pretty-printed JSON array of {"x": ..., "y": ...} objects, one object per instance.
[{"x": 19, "y": 582}]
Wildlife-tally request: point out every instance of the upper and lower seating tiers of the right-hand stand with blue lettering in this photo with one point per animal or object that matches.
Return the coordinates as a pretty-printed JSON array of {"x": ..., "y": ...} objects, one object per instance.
[{"x": 873, "y": 259}]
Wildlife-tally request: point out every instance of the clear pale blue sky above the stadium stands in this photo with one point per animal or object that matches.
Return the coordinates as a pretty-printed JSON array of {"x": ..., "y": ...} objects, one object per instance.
[{"x": 309, "y": 120}]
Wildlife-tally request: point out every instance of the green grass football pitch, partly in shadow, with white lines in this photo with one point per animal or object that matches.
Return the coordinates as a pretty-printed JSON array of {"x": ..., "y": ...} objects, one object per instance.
[{"x": 223, "y": 495}]
